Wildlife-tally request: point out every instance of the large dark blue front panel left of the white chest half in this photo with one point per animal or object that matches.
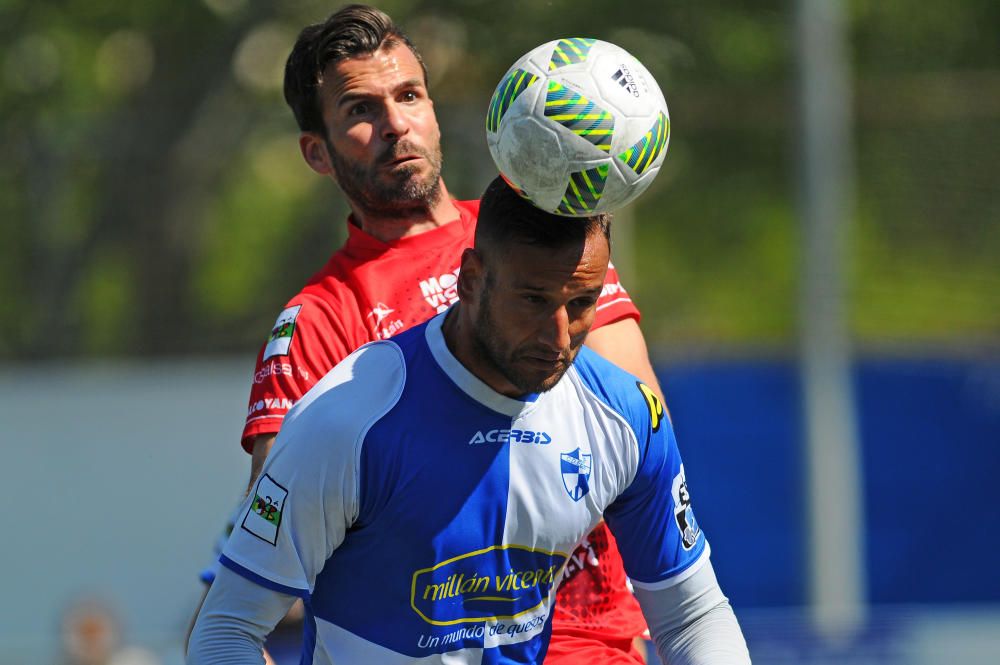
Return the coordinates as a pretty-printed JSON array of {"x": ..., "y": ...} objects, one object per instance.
[{"x": 421, "y": 477}]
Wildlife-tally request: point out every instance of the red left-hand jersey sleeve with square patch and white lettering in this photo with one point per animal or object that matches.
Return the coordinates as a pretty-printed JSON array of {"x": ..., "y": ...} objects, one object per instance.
[{"x": 306, "y": 342}]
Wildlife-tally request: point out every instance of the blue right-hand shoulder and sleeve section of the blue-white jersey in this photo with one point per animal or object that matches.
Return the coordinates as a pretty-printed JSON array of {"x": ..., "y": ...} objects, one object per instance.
[{"x": 657, "y": 550}]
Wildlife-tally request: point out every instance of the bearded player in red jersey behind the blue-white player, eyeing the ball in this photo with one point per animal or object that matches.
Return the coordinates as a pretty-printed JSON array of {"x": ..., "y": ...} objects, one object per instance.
[{"x": 358, "y": 89}]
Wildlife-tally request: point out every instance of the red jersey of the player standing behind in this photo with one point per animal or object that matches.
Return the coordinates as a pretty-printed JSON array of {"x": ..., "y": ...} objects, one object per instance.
[{"x": 371, "y": 290}]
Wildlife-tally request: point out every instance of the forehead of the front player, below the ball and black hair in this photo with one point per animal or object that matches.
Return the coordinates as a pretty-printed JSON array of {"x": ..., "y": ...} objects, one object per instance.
[{"x": 574, "y": 267}]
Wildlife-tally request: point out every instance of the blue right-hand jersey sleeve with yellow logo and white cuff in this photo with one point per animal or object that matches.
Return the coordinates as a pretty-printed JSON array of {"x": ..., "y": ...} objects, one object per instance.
[{"x": 658, "y": 537}]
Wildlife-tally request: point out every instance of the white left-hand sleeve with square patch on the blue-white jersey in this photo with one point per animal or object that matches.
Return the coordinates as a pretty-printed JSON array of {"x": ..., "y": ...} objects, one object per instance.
[{"x": 308, "y": 493}]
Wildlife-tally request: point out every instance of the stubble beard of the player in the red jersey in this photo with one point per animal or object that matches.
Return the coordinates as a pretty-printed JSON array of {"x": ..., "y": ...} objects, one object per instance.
[{"x": 403, "y": 192}]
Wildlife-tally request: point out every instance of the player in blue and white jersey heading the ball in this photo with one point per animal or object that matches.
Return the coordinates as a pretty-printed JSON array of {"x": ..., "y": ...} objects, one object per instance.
[{"x": 424, "y": 497}]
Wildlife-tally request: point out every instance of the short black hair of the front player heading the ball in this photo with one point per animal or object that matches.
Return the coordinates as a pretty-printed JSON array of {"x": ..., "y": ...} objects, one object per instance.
[{"x": 507, "y": 219}]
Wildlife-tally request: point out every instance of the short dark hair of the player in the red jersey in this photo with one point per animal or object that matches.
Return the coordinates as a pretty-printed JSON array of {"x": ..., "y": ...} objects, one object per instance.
[{"x": 350, "y": 32}]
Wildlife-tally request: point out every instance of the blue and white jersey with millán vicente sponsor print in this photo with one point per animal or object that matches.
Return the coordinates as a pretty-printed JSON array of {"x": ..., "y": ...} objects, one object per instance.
[{"x": 425, "y": 518}]
